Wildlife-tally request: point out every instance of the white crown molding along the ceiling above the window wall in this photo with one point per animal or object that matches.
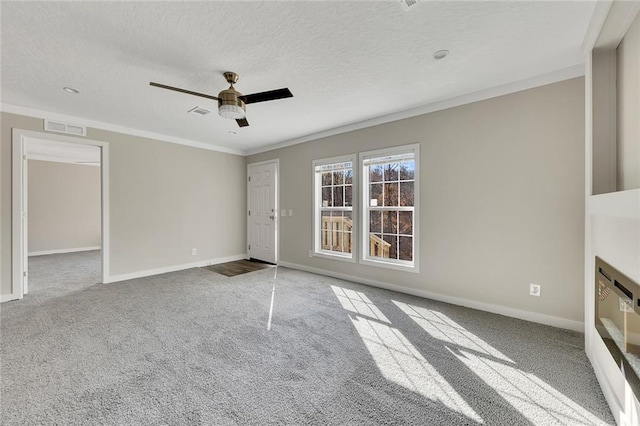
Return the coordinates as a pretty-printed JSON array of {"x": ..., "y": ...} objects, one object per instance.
[{"x": 568, "y": 73}]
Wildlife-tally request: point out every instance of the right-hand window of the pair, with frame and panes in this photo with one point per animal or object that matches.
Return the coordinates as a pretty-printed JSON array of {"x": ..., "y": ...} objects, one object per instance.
[{"x": 390, "y": 207}]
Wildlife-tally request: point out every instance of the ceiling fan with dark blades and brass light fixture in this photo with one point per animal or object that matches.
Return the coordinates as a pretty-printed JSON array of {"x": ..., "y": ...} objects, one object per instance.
[{"x": 231, "y": 103}]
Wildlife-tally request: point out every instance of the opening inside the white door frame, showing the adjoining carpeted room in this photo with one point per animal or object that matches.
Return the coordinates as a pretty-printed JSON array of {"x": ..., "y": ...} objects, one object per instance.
[{"x": 63, "y": 207}]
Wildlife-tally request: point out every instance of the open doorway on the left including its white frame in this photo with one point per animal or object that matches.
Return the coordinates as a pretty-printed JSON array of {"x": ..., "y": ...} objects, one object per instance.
[{"x": 60, "y": 207}]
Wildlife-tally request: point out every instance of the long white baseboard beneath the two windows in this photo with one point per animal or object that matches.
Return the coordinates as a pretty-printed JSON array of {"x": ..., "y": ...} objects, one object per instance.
[{"x": 488, "y": 307}]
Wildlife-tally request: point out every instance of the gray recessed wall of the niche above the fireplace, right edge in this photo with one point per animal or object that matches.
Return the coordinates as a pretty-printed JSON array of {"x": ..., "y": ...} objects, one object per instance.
[{"x": 628, "y": 113}]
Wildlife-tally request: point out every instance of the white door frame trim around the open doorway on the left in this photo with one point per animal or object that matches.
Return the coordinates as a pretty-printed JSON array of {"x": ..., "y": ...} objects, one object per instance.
[{"x": 19, "y": 195}]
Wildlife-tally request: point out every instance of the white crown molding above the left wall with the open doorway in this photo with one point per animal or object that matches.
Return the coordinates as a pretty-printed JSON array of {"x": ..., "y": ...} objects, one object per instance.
[{"x": 31, "y": 112}]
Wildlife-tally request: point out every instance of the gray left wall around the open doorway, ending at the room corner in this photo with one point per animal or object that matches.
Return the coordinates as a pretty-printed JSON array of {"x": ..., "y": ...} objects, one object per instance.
[{"x": 165, "y": 200}]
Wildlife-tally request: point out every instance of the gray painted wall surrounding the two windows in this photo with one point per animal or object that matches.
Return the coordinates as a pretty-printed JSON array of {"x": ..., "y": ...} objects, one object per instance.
[{"x": 502, "y": 199}]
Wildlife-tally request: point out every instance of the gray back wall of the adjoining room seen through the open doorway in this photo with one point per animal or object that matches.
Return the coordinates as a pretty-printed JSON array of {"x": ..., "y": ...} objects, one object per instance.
[{"x": 64, "y": 206}]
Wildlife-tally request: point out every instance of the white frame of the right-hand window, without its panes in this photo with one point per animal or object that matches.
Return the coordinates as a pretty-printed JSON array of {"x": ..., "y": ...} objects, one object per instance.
[{"x": 365, "y": 259}]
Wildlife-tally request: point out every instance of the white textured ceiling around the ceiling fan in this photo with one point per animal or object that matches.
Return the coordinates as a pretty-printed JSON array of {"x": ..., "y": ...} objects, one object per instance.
[{"x": 345, "y": 62}]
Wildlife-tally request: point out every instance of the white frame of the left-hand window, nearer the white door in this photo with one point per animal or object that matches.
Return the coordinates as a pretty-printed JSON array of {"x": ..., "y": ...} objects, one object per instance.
[{"x": 317, "y": 210}]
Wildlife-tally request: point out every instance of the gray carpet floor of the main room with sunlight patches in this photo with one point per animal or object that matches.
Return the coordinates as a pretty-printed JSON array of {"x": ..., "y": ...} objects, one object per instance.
[{"x": 194, "y": 347}]
